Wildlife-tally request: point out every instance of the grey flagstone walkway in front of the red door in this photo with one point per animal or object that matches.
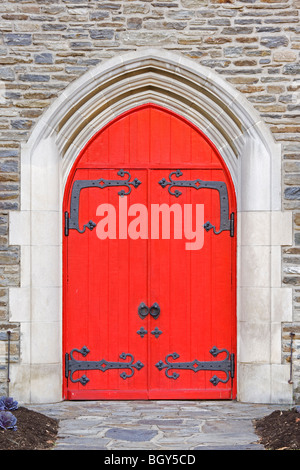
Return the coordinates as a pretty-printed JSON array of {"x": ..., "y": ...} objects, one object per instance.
[{"x": 156, "y": 425}]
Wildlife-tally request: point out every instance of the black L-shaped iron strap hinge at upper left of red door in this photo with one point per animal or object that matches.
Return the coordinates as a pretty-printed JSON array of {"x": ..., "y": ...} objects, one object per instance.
[{"x": 71, "y": 221}]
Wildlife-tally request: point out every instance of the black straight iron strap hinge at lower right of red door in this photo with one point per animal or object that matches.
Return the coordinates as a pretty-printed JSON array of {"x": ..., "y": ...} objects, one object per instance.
[{"x": 227, "y": 365}]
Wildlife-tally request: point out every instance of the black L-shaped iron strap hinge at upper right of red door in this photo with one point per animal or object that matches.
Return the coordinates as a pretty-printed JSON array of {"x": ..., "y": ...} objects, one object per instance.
[{"x": 226, "y": 222}]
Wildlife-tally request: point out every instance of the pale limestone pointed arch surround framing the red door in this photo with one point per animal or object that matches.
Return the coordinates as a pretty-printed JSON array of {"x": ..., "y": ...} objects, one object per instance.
[{"x": 254, "y": 161}]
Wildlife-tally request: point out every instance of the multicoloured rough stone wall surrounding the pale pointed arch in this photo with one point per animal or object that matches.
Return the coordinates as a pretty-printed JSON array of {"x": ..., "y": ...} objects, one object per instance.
[{"x": 47, "y": 44}]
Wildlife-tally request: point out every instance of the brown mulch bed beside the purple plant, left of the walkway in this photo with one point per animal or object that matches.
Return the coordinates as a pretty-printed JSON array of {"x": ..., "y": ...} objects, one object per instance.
[{"x": 35, "y": 431}]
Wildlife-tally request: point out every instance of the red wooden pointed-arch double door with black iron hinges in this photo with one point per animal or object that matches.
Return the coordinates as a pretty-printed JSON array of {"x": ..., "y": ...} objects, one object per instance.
[{"x": 149, "y": 264}]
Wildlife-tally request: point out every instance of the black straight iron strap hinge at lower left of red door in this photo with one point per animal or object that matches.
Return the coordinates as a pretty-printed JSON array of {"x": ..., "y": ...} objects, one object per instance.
[{"x": 72, "y": 365}]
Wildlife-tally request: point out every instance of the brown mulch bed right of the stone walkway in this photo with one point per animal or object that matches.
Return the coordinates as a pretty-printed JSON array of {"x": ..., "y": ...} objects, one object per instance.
[{"x": 280, "y": 430}]
